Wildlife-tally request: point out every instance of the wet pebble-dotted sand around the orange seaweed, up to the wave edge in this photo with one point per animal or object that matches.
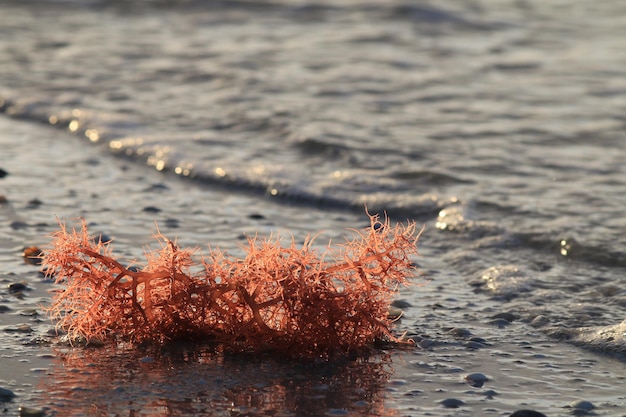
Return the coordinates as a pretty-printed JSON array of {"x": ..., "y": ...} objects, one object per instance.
[{"x": 458, "y": 332}]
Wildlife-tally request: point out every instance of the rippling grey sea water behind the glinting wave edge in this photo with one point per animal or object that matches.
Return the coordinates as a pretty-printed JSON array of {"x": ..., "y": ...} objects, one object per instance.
[{"x": 498, "y": 125}]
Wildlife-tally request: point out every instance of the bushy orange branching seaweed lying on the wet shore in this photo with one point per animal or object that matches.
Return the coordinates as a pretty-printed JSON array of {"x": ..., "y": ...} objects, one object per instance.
[{"x": 293, "y": 301}]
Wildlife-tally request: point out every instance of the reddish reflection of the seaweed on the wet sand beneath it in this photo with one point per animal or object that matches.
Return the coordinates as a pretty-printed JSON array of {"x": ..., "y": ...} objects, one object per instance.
[{"x": 183, "y": 380}]
